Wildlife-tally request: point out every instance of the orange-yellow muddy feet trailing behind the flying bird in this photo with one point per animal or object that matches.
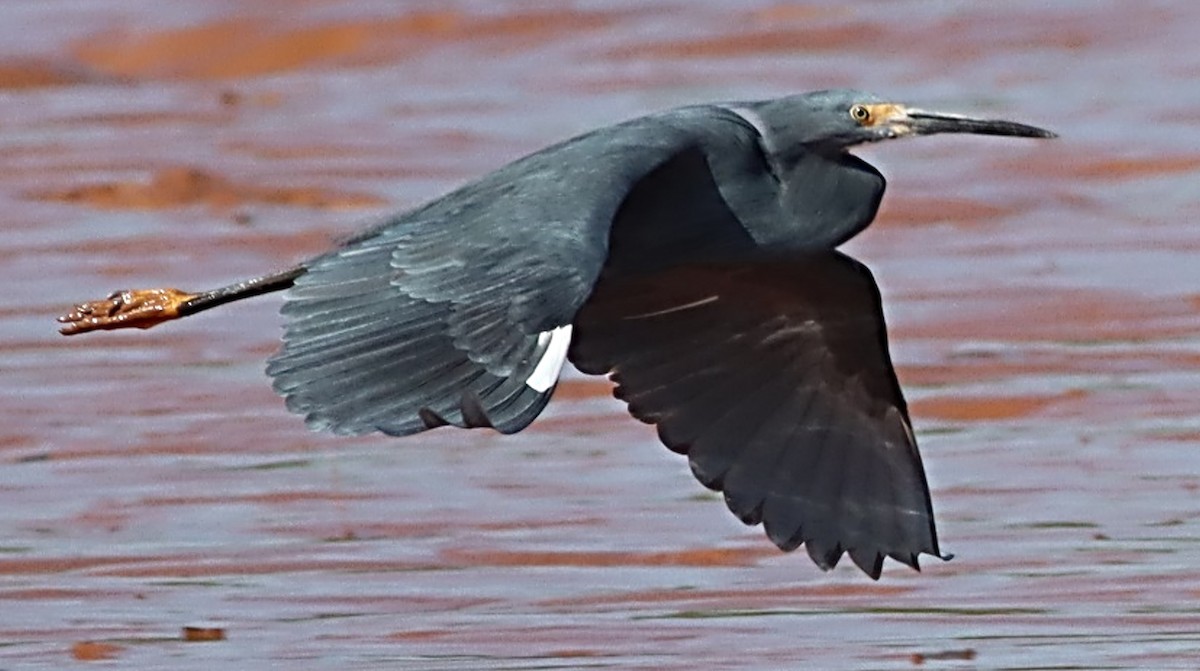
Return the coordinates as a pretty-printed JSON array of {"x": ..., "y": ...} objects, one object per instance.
[{"x": 139, "y": 309}]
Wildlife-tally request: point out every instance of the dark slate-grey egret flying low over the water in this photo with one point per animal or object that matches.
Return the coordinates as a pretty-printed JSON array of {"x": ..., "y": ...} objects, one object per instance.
[{"x": 691, "y": 255}]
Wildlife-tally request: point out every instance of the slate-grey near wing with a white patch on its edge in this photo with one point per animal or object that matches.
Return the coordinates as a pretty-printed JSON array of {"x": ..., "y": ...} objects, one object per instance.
[{"x": 460, "y": 313}]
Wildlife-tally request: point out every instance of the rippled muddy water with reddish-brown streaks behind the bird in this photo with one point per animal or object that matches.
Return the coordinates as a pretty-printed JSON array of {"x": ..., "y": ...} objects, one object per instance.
[{"x": 1042, "y": 301}]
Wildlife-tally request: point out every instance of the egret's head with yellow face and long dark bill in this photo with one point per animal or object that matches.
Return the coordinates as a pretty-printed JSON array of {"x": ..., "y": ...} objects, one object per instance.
[{"x": 841, "y": 119}]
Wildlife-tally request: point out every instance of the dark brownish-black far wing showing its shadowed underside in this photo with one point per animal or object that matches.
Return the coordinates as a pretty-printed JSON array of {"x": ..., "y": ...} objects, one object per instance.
[{"x": 775, "y": 379}]
